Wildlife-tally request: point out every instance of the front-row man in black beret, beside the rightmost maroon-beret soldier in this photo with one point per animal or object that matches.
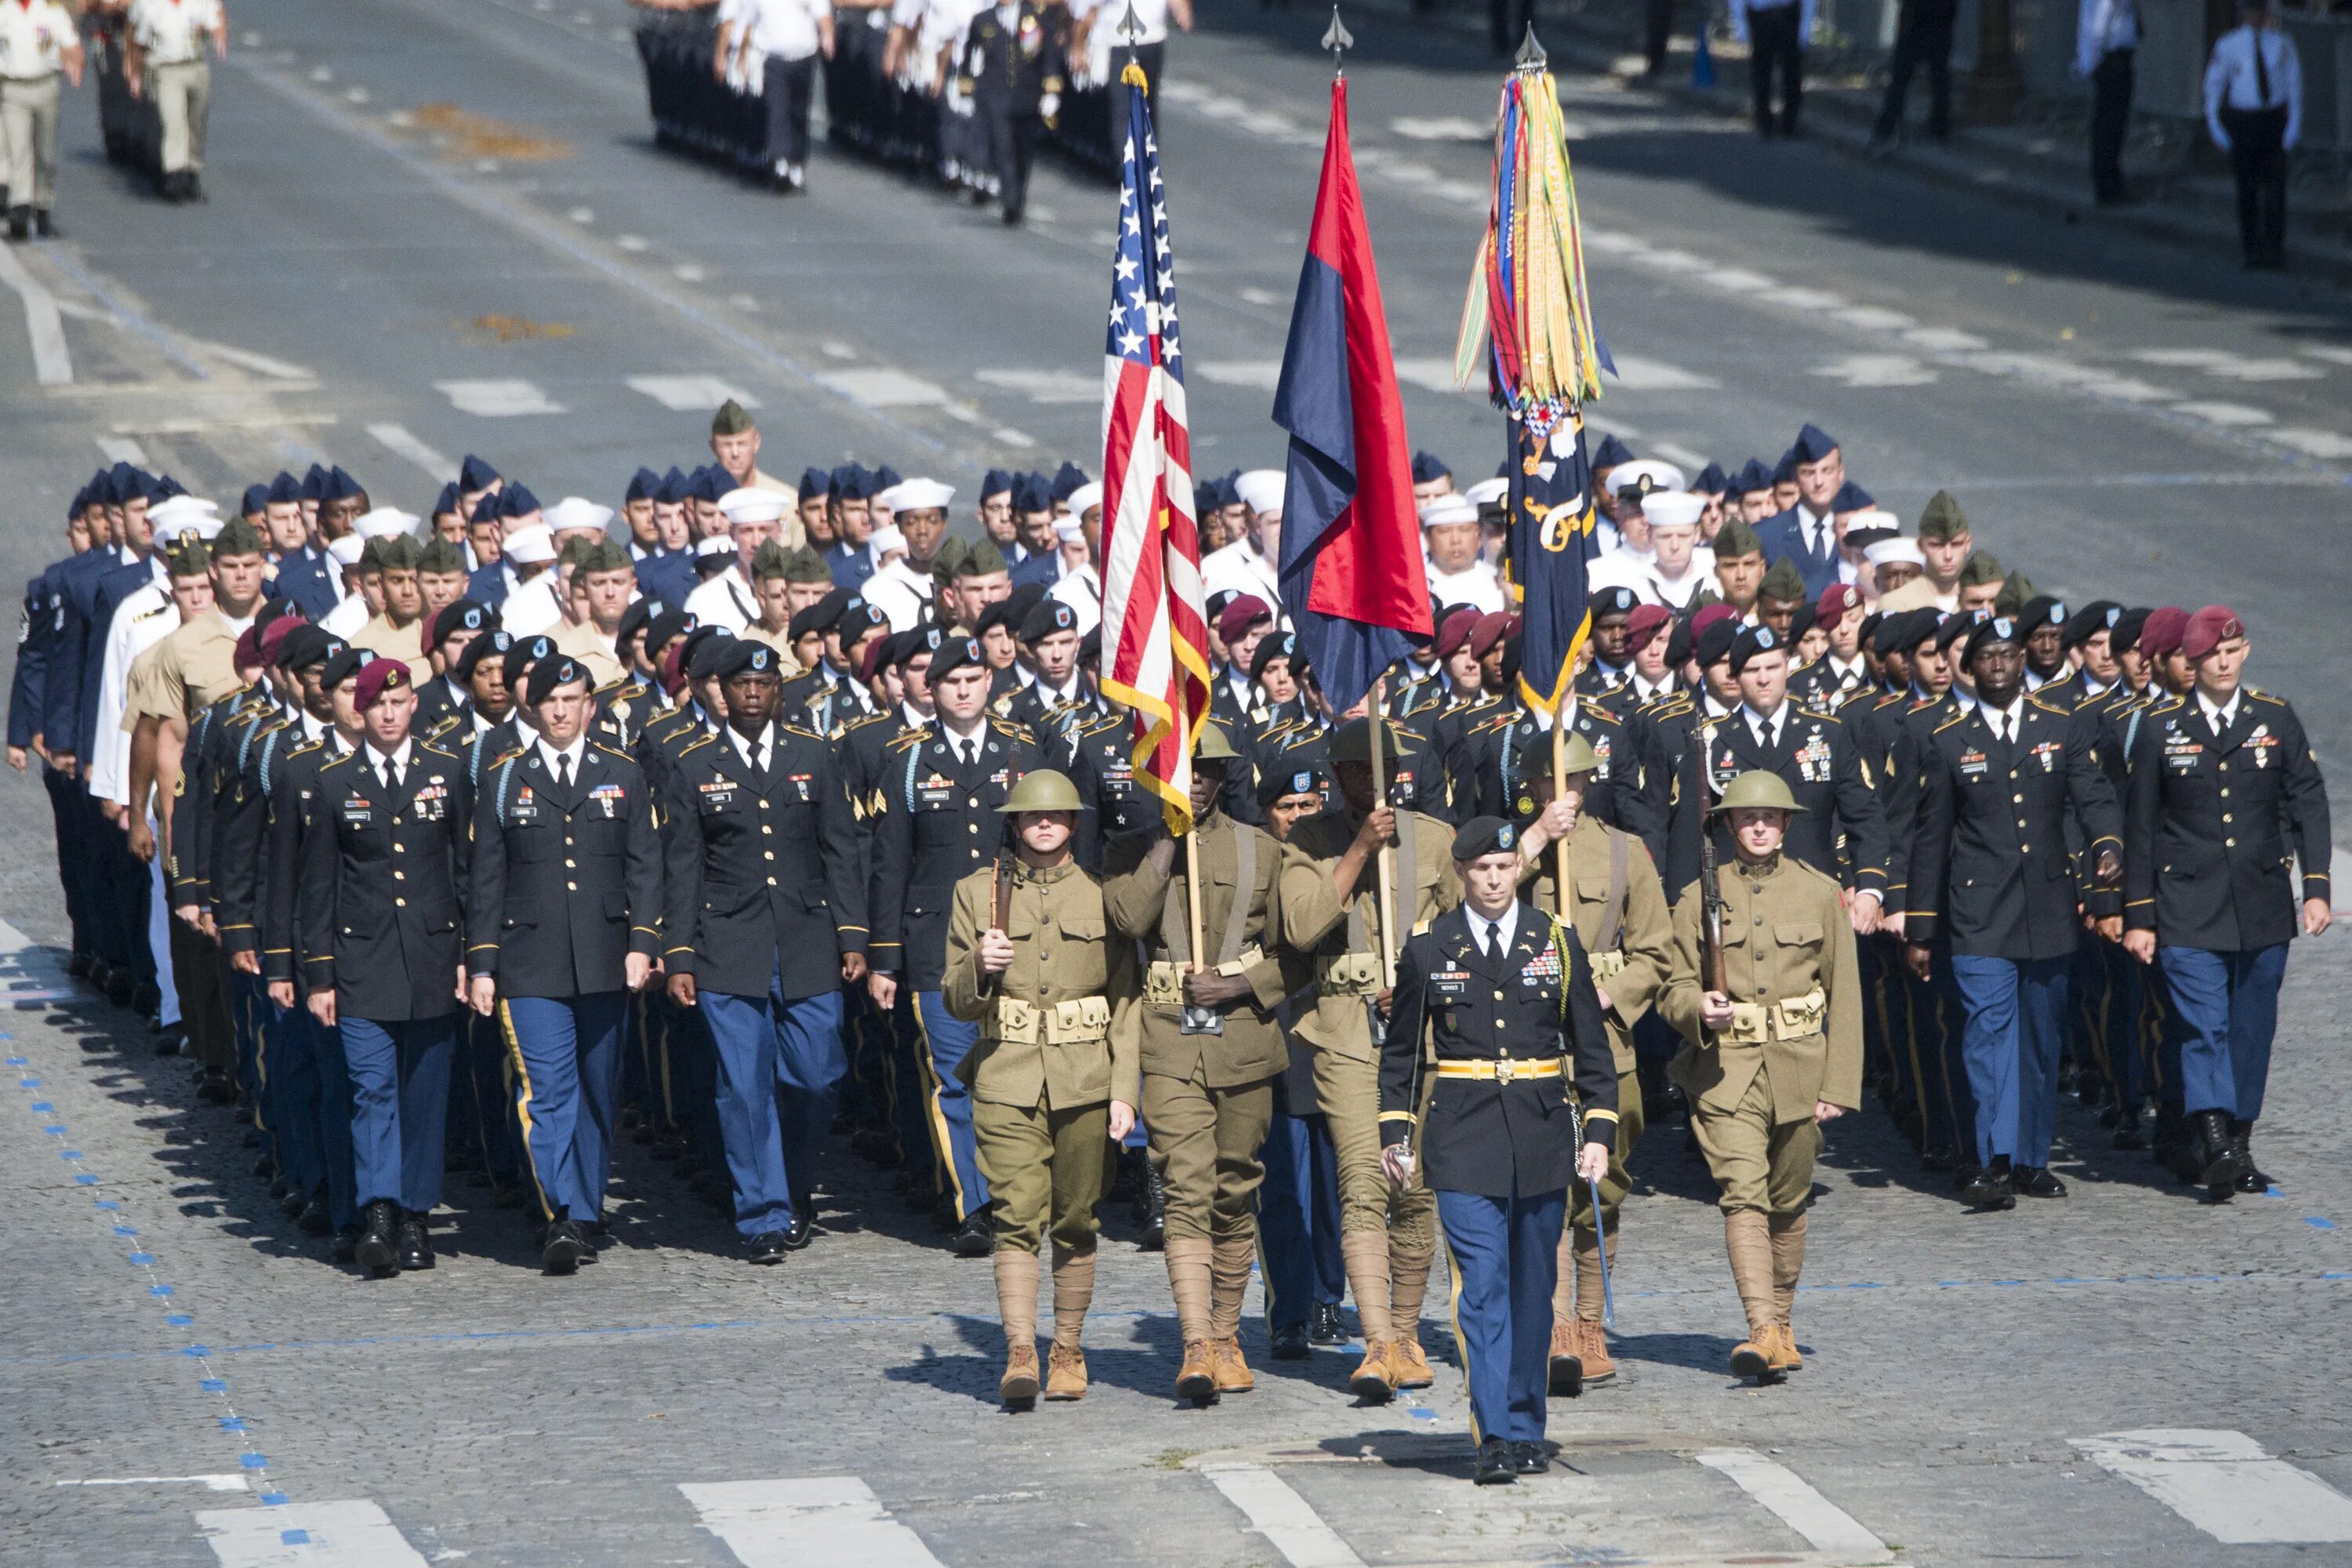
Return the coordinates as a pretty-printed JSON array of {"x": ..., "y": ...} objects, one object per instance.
[{"x": 1993, "y": 878}]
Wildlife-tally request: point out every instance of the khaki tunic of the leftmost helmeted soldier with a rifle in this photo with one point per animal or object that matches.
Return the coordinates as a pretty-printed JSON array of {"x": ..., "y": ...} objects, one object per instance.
[{"x": 1064, "y": 951}]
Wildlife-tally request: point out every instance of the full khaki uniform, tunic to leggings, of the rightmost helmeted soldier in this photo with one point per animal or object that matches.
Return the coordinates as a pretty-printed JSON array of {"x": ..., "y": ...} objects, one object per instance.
[{"x": 1796, "y": 1040}]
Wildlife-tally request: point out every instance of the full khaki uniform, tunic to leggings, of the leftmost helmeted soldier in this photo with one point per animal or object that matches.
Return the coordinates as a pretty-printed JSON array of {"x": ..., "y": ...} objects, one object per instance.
[{"x": 1057, "y": 1047}]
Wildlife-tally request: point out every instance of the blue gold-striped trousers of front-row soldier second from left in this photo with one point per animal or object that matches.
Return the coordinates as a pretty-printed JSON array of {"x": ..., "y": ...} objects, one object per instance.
[{"x": 568, "y": 1076}]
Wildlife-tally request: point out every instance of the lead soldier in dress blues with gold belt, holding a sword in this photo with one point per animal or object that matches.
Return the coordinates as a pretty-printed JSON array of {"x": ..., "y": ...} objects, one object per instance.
[{"x": 1506, "y": 998}]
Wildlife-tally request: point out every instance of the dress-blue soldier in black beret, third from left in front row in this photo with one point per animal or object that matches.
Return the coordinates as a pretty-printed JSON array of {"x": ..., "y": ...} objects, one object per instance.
[{"x": 766, "y": 923}]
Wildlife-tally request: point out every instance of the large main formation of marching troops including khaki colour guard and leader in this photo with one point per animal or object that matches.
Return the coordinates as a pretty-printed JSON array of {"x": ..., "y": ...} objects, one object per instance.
[{"x": 737, "y": 819}]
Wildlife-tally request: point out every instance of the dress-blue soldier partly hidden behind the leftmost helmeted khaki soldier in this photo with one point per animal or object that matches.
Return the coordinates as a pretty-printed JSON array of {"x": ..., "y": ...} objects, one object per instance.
[{"x": 937, "y": 824}]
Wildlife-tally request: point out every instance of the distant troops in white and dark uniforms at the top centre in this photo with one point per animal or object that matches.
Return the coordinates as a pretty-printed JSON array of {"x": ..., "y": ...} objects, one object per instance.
[{"x": 961, "y": 93}]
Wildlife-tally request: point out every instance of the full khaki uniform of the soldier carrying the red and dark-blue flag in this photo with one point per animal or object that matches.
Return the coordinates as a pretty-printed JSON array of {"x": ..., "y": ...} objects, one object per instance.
[{"x": 1387, "y": 1238}]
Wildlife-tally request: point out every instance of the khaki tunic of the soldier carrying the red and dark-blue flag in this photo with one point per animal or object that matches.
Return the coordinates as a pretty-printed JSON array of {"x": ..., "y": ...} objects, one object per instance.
[{"x": 1321, "y": 925}]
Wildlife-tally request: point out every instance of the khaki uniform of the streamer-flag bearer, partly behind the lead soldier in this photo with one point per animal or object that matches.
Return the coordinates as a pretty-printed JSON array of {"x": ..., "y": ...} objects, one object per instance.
[{"x": 1619, "y": 916}]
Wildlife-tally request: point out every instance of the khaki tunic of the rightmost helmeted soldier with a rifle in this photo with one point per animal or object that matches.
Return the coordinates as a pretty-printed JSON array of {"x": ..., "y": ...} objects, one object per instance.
[{"x": 1786, "y": 937}]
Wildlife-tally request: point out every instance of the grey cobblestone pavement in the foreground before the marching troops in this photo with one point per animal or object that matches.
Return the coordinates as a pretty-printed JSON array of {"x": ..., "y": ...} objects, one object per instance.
[{"x": 175, "y": 1355}]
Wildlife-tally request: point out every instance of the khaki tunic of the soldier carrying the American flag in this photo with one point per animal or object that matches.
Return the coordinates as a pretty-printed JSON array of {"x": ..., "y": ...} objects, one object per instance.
[{"x": 1151, "y": 906}]
